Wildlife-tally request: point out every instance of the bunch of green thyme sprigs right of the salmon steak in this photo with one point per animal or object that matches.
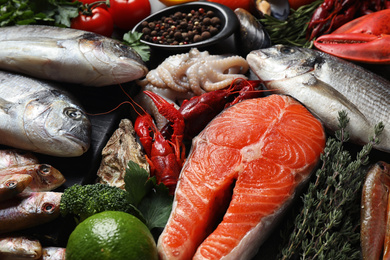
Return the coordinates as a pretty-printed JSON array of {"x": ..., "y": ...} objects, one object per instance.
[{"x": 327, "y": 226}]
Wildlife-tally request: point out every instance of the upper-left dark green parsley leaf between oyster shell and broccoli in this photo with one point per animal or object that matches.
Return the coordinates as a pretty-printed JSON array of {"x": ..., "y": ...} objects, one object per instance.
[{"x": 137, "y": 183}]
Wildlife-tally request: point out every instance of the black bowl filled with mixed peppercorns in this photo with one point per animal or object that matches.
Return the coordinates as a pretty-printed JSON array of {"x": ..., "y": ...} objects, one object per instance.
[{"x": 189, "y": 25}]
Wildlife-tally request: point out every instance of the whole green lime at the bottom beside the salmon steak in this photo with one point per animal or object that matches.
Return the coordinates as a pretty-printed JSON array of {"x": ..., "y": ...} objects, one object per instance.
[{"x": 111, "y": 235}]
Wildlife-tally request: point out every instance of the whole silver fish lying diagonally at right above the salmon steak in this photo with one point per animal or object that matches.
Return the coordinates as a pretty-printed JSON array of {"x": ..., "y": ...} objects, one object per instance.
[{"x": 326, "y": 85}]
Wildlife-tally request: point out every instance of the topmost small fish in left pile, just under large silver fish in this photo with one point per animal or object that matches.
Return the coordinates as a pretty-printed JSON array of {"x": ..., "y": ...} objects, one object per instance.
[{"x": 15, "y": 157}]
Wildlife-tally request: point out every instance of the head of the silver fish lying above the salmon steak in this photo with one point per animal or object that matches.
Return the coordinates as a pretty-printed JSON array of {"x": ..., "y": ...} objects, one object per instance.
[{"x": 282, "y": 62}]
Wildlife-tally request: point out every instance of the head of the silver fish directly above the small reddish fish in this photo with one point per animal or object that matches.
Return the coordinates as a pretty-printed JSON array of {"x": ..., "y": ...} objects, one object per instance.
[{"x": 56, "y": 125}]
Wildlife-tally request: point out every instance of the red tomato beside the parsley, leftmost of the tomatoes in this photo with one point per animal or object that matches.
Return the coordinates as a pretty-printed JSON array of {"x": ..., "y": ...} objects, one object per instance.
[{"x": 100, "y": 21}]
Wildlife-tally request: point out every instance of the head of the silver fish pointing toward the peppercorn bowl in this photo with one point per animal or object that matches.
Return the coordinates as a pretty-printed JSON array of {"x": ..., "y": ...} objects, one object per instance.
[{"x": 124, "y": 63}]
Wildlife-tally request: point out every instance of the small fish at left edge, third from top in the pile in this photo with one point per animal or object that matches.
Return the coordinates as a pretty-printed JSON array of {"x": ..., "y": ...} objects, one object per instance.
[{"x": 10, "y": 185}]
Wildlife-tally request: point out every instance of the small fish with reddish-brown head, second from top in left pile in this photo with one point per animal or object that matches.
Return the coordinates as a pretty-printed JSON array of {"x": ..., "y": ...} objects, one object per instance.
[{"x": 44, "y": 177}]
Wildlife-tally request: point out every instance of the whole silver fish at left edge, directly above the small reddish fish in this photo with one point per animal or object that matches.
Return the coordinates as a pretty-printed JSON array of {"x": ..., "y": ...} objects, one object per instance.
[{"x": 38, "y": 116}]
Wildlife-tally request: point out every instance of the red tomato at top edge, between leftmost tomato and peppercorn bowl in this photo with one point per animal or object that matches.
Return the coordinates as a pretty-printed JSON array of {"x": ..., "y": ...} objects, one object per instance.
[{"x": 127, "y": 13}]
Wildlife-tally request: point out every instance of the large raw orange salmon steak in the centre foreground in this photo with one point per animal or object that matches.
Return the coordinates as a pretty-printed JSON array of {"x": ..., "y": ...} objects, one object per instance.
[{"x": 256, "y": 172}]
